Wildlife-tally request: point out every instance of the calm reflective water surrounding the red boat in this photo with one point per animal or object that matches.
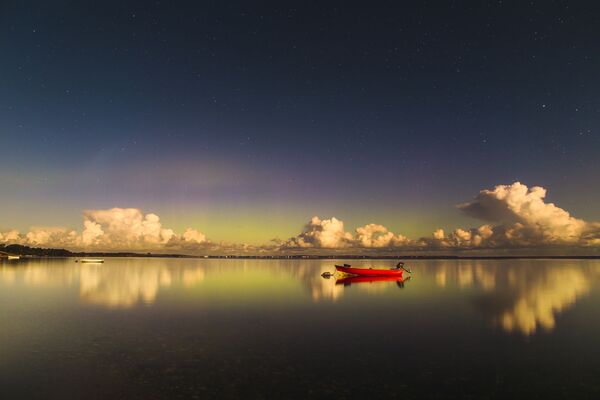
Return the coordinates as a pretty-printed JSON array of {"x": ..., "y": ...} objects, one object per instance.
[{"x": 186, "y": 328}]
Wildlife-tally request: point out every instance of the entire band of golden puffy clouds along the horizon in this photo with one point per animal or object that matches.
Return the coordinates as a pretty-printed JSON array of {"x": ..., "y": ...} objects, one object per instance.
[{"x": 514, "y": 216}]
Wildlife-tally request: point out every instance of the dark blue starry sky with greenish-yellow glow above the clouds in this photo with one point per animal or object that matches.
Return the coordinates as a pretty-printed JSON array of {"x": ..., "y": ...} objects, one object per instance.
[{"x": 245, "y": 119}]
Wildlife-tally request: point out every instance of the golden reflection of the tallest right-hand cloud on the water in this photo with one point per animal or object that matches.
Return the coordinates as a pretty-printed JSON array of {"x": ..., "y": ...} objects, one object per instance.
[{"x": 521, "y": 298}]
